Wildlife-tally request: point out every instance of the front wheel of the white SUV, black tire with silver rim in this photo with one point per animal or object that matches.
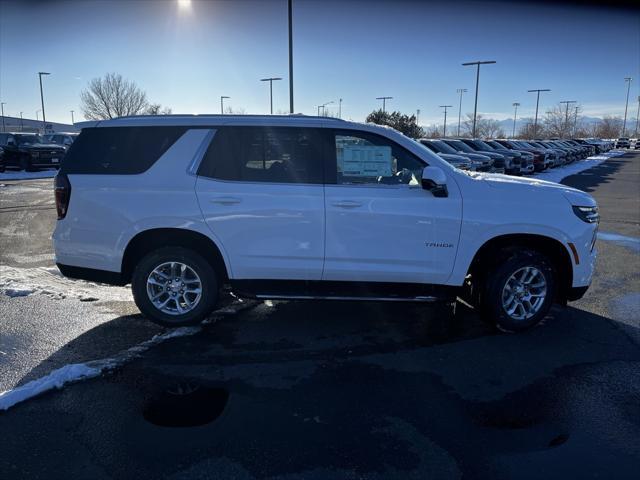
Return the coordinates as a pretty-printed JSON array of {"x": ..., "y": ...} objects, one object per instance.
[{"x": 496, "y": 293}]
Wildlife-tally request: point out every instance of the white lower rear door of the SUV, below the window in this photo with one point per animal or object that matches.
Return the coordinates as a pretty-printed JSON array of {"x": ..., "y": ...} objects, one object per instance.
[{"x": 269, "y": 231}]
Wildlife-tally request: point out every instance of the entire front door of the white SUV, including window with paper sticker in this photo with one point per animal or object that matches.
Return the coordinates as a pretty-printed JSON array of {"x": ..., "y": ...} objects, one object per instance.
[{"x": 381, "y": 226}]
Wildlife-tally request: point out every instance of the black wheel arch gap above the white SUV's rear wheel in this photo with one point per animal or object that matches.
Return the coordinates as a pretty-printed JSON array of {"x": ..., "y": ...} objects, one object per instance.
[{"x": 154, "y": 238}]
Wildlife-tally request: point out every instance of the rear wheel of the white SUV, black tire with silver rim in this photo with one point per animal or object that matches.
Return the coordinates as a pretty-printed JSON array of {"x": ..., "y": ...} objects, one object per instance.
[{"x": 197, "y": 271}]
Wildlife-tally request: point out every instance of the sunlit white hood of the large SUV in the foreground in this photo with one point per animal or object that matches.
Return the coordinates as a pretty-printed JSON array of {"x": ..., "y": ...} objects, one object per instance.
[{"x": 507, "y": 182}]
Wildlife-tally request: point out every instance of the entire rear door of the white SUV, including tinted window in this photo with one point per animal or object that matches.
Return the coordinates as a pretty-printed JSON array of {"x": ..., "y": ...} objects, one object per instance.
[{"x": 261, "y": 193}]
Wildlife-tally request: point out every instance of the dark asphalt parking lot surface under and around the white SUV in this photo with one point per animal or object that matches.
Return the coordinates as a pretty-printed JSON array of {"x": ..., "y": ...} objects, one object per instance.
[{"x": 324, "y": 390}]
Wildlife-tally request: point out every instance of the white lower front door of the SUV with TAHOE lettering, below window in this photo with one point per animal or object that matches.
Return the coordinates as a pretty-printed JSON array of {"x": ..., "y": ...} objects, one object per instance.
[{"x": 392, "y": 234}]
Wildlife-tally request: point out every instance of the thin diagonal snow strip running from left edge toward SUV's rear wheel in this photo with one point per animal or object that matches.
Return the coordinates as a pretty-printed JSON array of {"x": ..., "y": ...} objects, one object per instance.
[{"x": 82, "y": 371}]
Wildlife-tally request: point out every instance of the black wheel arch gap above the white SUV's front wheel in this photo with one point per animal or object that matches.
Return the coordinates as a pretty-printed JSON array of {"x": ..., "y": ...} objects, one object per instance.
[{"x": 494, "y": 249}]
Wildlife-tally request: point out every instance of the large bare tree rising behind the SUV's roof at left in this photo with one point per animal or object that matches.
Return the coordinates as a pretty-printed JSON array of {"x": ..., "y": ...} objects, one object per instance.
[{"x": 112, "y": 96}]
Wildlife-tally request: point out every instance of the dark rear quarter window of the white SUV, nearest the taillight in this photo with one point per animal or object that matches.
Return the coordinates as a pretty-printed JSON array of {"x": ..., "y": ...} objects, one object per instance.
[{"x": 119, "y": 150}]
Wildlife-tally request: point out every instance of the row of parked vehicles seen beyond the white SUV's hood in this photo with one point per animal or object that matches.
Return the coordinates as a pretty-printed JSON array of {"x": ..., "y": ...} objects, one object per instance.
[{"x": 513, "y": 157}]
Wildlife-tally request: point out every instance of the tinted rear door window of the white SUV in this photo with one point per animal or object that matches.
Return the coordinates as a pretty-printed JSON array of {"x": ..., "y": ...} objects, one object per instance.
[{"x": 265, "y": 154}]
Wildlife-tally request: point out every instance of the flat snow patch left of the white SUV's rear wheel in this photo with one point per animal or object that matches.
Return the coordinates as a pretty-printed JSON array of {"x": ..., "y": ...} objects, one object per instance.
[{"x": 20, "y": 282}]
